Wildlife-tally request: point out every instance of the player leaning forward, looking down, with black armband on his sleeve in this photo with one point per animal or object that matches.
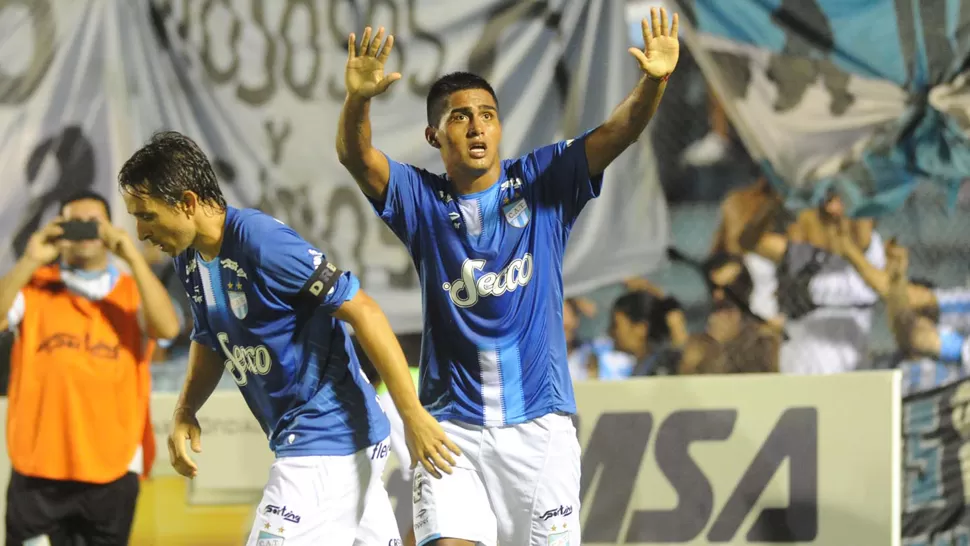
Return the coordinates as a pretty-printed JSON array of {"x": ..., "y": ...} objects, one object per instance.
[{"x": 269, "y": 309}]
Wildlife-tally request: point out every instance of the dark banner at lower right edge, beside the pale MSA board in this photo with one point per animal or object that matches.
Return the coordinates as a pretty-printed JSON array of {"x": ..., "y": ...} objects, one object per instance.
[{"x": 936, "y": 466}]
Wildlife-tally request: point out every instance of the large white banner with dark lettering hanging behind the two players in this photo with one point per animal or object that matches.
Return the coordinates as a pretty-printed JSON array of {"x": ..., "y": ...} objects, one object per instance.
[{"x": 260, "y": 86}]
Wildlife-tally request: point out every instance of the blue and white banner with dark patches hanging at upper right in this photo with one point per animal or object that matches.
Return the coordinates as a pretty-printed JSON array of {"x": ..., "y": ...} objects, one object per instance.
[{"x": 864, "y": 98}]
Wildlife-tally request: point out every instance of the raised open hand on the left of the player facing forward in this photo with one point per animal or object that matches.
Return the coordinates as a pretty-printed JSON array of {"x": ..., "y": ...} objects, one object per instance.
[{"x": 365, "y": 76}]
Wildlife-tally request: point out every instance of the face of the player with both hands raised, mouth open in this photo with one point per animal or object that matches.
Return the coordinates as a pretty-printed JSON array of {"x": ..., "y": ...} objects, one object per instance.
[{"x": 469, "y": 132}]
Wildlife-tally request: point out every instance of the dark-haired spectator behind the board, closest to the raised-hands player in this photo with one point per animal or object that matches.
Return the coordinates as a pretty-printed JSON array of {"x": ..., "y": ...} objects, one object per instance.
[{"x": 641, "y": 326}]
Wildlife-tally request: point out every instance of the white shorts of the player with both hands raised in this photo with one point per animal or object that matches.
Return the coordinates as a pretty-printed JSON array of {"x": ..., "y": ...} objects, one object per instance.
[{"x": 515, "y": 486}]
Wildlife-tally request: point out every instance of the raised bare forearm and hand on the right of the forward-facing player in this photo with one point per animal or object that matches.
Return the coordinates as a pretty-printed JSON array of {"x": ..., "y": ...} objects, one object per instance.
[{"x": 630, "y": 118}]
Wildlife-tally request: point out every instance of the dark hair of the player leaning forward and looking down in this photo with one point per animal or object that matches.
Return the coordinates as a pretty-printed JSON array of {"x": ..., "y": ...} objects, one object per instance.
[{"x": 169, "y": 165}]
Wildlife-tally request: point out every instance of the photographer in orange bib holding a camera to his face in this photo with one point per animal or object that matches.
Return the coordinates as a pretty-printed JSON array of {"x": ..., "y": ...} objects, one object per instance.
[{"x": 78, "y": 428}]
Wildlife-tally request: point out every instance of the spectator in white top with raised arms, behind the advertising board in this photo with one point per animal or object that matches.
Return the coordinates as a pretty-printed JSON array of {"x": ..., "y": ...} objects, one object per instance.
[{"x": 828, "y": 305}]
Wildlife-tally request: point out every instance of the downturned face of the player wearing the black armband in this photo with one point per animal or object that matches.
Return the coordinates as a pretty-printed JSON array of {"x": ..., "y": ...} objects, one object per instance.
[{"x": 171, "y": 229}]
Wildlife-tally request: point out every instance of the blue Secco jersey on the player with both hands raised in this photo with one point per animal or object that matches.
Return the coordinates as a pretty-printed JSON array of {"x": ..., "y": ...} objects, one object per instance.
[{"x": 490, "y": 266}]
